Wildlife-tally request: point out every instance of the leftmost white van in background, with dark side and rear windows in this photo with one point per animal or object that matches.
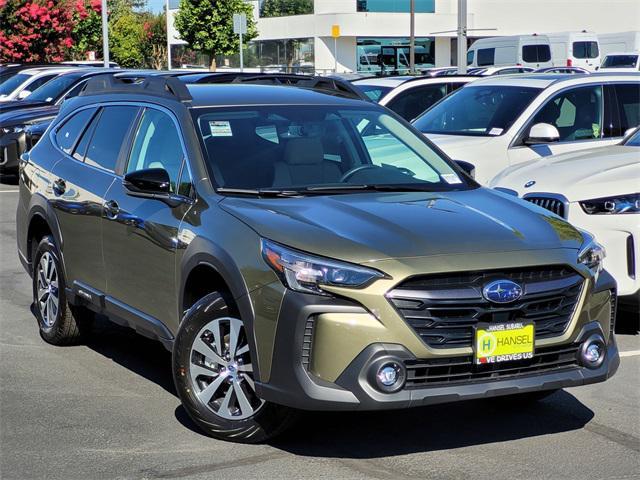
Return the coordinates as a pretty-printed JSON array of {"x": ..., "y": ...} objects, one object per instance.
[{"x": 526, "y": 50}]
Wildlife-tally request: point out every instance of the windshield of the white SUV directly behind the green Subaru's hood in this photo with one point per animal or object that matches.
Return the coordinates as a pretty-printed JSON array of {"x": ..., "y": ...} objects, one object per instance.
[{"x": 479, "y": 111}]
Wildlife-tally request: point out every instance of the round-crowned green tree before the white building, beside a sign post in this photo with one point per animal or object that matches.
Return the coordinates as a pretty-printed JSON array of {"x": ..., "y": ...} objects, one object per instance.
[{"x": 207, "y": 25}]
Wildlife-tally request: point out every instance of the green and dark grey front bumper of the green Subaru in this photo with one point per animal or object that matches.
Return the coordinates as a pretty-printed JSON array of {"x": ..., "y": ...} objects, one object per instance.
[{"x": 299, "y": 376}]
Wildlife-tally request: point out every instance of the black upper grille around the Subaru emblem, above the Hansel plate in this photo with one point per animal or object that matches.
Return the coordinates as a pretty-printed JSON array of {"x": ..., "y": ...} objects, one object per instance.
[{"x": 443, "y": 309}]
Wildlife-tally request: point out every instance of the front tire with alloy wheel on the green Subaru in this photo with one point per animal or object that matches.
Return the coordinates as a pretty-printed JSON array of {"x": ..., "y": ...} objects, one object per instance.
[{"x": 213, "y": 374}]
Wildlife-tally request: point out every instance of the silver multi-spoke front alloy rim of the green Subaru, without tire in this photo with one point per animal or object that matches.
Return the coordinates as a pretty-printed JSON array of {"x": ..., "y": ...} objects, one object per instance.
[{"x": 221, "y": 371}]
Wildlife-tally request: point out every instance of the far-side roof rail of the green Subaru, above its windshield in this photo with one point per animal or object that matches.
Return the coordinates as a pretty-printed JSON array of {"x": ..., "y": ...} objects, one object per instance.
[{"x": 329, "y": 85}]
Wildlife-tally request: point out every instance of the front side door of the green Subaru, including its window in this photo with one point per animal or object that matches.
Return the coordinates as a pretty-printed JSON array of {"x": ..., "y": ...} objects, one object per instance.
[{"x": 140, "y": 234}]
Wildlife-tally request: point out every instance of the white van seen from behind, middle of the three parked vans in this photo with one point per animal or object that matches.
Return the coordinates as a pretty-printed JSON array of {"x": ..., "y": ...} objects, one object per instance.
[{"x": 575, "y": 49}]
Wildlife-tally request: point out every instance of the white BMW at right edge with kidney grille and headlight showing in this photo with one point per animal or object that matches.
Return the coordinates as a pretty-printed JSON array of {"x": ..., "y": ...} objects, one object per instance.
[{"x": 597, "y": 190}]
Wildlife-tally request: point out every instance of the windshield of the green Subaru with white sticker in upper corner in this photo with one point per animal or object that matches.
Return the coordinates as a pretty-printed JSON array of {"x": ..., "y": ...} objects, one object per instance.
[{"x": 318, "y": 149}]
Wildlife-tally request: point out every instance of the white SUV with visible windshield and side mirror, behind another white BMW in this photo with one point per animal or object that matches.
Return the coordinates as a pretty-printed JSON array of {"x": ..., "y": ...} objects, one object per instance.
[{"x": 505, "y": 120}]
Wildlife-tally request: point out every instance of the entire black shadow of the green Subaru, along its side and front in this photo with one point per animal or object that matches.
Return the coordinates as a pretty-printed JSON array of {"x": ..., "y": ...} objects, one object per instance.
[{"x": 362, "y": 435}]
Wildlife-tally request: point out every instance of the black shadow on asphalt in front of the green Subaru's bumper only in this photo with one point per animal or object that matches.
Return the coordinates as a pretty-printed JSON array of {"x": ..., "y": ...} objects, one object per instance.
[{"x": 365, "y": 435}]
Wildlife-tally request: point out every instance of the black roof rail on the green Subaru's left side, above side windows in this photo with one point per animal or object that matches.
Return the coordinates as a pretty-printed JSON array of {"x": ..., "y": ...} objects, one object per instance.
[{"x": 158, "y": 86}]
